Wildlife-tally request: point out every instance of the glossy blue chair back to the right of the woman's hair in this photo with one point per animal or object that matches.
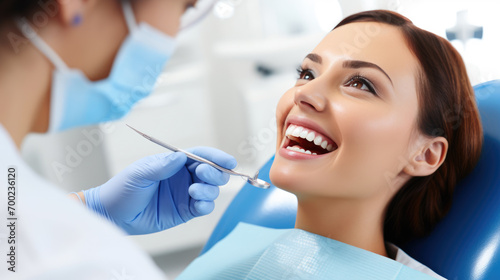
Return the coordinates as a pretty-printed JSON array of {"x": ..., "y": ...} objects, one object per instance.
[{"x": 465, "y": 244}]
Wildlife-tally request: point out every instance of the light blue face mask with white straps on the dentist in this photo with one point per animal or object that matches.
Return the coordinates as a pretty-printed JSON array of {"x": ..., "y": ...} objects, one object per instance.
[{"x": 77, "y": 101}]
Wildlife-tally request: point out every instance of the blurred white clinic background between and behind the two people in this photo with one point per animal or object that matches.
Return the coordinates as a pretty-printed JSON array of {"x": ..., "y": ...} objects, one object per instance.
[{"x": 215, "y": 92}]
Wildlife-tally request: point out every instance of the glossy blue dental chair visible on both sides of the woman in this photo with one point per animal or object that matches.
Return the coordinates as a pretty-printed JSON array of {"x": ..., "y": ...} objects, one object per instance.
[{"x": 464, "y": 245}]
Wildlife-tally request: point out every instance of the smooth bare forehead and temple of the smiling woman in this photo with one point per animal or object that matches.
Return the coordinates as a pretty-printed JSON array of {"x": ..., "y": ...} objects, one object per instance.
[{"x": 370, "y": 43}]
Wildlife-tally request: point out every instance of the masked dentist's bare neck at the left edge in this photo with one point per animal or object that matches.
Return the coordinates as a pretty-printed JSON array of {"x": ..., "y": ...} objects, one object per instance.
[{"x": 25, "y": 77}]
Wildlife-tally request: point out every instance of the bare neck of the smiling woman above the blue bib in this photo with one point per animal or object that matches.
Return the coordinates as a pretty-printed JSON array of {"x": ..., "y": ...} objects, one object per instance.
[{"x": 354, "y": 222}]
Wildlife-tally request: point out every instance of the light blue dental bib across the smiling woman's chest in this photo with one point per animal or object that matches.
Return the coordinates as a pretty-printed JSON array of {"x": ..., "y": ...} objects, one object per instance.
[{"x": 254, "y": 252}]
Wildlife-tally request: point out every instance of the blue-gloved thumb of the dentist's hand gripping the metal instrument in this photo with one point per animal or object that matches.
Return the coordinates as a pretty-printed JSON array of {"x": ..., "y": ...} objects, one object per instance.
[{"x": 158, "y": 167}]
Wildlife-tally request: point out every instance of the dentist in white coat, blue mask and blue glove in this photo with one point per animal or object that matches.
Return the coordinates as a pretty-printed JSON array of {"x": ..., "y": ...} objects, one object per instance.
[{"x": 71, "y": 63}]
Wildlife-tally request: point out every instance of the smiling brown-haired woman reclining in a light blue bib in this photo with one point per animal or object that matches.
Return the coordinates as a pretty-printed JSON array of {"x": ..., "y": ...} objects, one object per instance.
[{"x": 372, "y": 139}]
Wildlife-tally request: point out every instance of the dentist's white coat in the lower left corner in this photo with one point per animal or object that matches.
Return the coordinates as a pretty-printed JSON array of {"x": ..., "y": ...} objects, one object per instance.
[{"x": 58, "y": 238}]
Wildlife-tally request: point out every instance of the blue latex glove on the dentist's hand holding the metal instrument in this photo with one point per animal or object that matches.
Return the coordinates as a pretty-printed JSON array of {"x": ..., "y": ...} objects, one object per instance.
[{"x": 161, "y": 191}]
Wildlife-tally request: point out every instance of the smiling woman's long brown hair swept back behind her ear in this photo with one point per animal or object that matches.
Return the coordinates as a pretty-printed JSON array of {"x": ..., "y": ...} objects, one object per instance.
[{"x": 447, "y": 108}]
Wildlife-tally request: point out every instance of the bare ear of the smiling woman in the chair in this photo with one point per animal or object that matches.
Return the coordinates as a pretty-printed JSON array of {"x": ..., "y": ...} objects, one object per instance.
[{"x": 429, "y": 158}]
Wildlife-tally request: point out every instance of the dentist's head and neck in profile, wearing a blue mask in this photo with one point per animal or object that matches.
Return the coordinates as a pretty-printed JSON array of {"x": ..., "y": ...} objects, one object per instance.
[{"x": 68, "y": 63}]
